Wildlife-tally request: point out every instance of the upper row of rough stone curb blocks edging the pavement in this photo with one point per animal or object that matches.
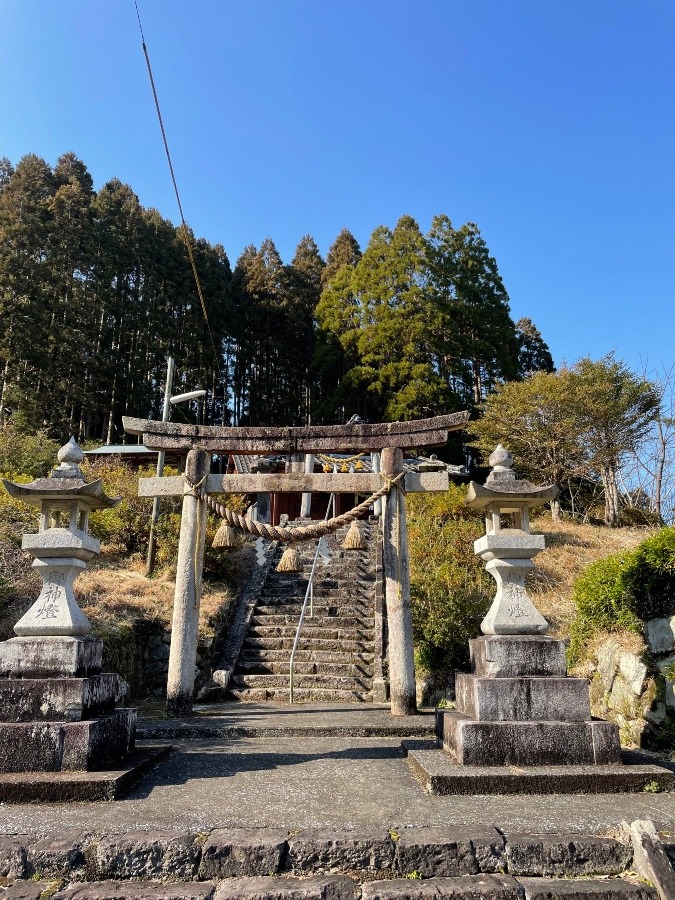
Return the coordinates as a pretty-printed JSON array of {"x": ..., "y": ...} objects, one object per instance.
[{"x": 428, "y": 852}]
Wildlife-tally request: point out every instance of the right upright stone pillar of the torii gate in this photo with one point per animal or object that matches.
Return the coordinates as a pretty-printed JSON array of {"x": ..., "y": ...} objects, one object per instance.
[{"x": 397, "y": 592}]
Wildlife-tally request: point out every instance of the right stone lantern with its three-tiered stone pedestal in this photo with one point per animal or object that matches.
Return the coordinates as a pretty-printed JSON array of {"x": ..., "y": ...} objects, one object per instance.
[{"x": 518, "y": 706}]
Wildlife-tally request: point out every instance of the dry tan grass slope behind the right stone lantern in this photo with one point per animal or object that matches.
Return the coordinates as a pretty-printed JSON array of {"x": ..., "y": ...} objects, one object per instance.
[{"x": 570, "y": 547}]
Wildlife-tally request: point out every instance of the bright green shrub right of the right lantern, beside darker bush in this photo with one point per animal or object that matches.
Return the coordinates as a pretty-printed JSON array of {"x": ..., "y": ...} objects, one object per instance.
[{"x": 603, "y": 601}]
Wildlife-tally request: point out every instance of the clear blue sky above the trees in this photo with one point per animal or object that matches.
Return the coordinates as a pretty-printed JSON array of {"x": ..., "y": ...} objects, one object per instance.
[{"x": 550, "y": 124}]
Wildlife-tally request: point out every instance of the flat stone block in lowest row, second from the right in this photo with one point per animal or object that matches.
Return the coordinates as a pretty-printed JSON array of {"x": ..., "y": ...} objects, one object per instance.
[{"x": 469, "y": 887}]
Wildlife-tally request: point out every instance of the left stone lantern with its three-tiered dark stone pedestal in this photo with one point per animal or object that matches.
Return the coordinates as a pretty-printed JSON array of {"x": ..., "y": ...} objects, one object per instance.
[{"x": 57, "y": 709}]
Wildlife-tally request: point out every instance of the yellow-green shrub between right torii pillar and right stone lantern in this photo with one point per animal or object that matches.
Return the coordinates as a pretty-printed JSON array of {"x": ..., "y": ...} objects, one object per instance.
[{"x": 450, "y": 589}]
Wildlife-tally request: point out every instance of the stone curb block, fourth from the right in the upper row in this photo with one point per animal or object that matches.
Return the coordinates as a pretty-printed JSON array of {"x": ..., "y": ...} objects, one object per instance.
[{"x": 235, "y": 852}]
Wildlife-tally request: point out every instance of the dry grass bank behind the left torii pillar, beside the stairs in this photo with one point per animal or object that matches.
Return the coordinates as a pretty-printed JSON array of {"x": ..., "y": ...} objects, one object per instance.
[{"x": 113, "y": 595}]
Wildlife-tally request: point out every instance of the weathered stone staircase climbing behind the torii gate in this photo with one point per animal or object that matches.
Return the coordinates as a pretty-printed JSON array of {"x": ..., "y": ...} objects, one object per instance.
[{"x": 337, "y": 649}]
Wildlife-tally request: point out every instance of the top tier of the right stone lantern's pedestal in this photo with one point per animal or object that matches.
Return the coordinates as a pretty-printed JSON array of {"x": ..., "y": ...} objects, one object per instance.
[{"x": 514, "y": 656}]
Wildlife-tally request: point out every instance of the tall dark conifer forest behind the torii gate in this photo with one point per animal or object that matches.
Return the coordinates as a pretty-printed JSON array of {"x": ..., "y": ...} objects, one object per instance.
[{"x": 96, "y": 292}]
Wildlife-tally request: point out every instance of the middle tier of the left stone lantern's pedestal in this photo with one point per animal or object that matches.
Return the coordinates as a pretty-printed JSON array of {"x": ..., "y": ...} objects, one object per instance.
[{"x": 54, "y": 699}]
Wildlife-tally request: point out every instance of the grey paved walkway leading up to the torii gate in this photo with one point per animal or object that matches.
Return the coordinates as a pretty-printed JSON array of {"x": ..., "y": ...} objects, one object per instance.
[{"x": 294, "y": 775}]
